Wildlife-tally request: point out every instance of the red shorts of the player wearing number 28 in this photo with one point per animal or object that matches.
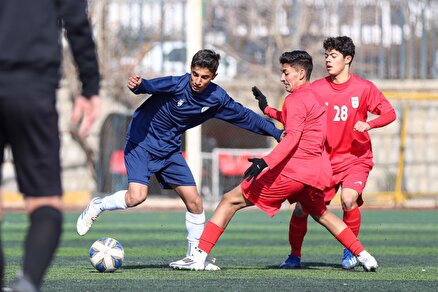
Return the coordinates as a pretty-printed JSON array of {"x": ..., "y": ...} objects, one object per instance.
[{"x": 353, "y": 178}]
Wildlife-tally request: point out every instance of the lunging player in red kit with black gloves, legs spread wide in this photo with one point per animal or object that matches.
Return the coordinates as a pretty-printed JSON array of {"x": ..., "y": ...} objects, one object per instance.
[{"x": 298, "y": 168}]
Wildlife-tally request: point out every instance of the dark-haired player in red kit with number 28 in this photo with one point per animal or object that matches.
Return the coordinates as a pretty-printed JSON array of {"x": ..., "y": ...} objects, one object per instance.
[{"x": 349, "y": 98}]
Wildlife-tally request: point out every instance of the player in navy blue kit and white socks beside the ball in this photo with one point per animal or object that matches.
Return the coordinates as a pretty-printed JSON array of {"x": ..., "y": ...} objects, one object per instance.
[{"x": 153, "y": 143}]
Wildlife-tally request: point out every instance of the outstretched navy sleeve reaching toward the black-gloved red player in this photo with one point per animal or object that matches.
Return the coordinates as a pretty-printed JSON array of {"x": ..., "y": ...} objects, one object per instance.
[{"x": 238, "y": 115}]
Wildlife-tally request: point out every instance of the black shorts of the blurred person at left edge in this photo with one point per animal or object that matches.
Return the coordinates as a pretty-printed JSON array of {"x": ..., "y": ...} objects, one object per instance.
[{"x": 29, "y": 124}]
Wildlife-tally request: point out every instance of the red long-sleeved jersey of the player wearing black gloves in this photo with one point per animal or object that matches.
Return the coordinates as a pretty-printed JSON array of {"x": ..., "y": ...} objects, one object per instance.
[{"x": 300, "y": 155}]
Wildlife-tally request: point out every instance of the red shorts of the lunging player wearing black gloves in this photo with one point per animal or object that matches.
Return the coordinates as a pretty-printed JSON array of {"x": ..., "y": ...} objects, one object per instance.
[{"x": 271, "y": 189}]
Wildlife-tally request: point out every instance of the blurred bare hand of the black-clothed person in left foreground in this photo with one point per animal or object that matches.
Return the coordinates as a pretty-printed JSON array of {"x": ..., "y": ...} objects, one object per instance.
[{"x": 85, "y": 113}]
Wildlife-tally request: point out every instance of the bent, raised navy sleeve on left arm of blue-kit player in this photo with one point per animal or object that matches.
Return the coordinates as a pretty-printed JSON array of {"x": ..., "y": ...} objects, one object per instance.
[{"x": 168, "y": 84}]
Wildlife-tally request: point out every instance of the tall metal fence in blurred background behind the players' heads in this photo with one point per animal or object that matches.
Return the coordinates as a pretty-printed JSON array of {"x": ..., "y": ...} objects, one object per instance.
[{"x": 394, "y": 38}]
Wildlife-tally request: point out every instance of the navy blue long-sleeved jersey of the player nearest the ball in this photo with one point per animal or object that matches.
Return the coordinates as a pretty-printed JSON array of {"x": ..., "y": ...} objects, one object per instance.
[{"x": 157, "y": 125}]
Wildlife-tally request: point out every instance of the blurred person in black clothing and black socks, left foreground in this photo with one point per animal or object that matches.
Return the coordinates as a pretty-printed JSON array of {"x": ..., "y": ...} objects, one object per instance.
[{"x": 30, "y": 61}]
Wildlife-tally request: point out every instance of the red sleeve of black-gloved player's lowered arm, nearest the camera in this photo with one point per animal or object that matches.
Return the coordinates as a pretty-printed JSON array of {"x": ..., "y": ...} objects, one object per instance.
[{"x": 295, "y": 121}]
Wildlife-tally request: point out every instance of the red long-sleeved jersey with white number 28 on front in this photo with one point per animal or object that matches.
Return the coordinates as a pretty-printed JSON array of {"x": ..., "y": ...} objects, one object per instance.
[{"x": 348, "y": 103}]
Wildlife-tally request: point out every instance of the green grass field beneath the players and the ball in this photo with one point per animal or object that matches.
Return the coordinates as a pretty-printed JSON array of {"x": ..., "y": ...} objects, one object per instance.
[{"x": 405, "y": 243}]
